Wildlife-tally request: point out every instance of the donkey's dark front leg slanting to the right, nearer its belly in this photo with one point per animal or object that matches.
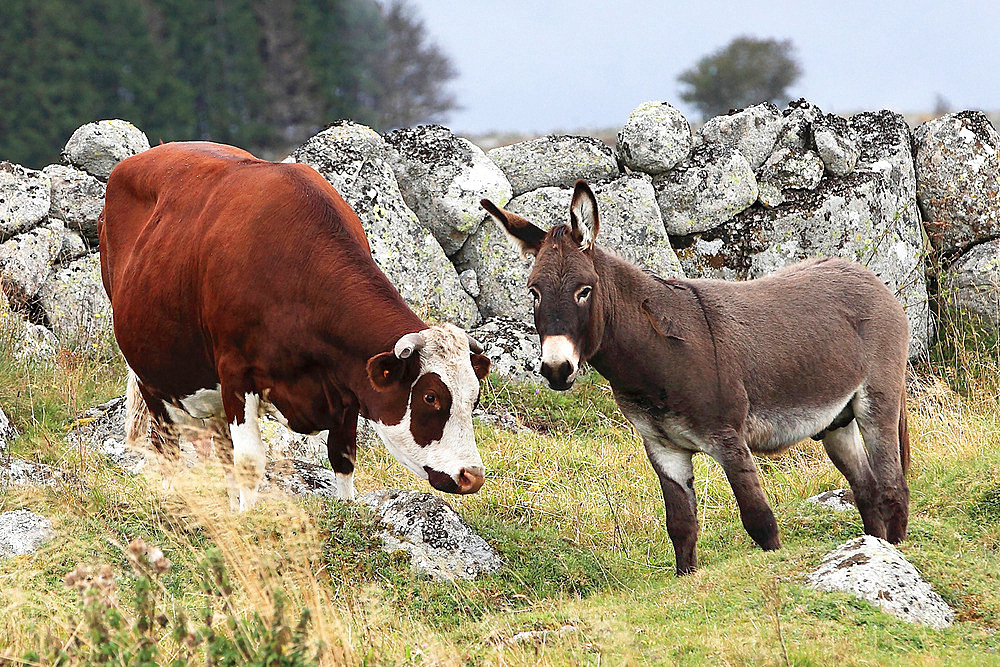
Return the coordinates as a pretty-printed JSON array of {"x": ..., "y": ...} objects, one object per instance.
[{"x": 733, "y": 454}]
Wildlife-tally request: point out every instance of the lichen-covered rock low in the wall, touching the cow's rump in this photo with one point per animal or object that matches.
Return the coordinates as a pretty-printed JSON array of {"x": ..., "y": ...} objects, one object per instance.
[{"x": 77, "y": 307}]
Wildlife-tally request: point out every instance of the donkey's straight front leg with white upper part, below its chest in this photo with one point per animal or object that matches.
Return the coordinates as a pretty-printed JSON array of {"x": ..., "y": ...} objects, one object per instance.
[{"x": 673, "y": 467}]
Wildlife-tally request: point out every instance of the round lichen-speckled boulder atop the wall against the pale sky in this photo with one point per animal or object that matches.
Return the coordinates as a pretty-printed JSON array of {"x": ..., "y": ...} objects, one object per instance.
[{"x": 655, "y": 138}]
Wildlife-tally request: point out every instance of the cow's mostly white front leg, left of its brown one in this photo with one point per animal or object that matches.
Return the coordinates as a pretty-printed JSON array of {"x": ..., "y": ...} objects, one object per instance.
[{"x": 249, "y": 456}]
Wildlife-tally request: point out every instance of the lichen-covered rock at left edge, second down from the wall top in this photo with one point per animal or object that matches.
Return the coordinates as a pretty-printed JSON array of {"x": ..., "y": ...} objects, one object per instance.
[{"x": 26, "y": 259}]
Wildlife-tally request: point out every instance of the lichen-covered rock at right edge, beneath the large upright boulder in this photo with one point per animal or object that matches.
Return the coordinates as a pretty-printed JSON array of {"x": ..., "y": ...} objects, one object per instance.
[{"x": 972, "y": 282}]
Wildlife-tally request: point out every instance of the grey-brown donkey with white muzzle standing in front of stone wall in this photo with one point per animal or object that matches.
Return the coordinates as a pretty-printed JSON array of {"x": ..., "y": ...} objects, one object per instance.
[{"x": 818, "y": 349}]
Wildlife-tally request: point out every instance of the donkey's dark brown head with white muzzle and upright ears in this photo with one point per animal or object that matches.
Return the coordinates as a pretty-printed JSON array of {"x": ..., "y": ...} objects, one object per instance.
[{"x": 563, "y": 284}]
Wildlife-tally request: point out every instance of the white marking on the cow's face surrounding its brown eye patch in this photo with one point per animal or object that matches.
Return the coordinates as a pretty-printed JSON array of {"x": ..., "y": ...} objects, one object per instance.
[{"x": 446, "y": 353}]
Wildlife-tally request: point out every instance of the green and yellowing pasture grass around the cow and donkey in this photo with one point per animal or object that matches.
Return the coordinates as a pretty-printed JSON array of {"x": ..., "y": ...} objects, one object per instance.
[{"x": 575, "y": 511}]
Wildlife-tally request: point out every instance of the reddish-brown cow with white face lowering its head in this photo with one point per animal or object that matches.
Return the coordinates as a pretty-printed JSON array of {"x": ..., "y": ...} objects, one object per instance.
[{"x": 237, "y": 282}]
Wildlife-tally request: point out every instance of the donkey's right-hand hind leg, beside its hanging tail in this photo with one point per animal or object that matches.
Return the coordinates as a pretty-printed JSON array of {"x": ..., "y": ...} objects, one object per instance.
[{"x": 878, "y": 418}]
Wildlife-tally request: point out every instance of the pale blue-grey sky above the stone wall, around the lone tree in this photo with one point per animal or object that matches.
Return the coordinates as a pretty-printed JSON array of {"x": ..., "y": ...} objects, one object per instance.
[{"x": 536, "y": 66}]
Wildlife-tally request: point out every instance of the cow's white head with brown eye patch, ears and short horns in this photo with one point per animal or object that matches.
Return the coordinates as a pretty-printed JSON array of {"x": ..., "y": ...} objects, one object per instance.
[{"x": 429, "y": 385}]
